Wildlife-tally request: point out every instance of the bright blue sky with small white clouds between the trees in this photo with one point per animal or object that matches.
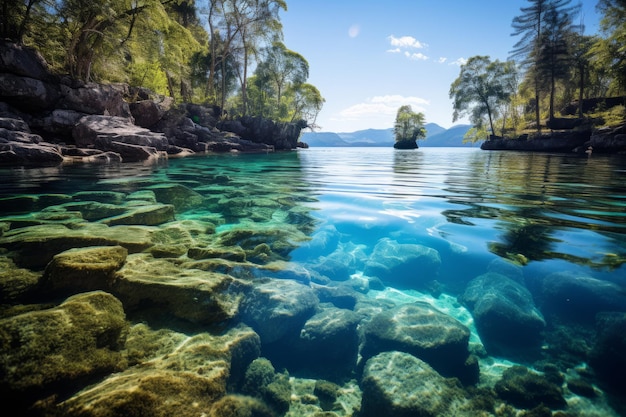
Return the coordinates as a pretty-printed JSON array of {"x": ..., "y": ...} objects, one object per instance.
[{"x": 369, "y": 57}]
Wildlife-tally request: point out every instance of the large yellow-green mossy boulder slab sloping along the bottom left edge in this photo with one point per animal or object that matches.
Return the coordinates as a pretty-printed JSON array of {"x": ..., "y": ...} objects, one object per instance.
[{"x": 185, "y": 377}]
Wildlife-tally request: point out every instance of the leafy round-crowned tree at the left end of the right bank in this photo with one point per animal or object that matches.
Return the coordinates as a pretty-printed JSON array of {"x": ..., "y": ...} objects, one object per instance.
[{"x": 482, "y": 87}]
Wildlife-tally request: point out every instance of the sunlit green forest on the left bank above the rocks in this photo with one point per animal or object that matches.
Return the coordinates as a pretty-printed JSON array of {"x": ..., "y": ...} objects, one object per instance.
[{"x": 195, "y": 51}]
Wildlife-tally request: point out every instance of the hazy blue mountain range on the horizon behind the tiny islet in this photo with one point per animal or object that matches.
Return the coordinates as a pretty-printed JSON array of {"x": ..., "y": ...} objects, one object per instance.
[{"x": 435, "y": 136}]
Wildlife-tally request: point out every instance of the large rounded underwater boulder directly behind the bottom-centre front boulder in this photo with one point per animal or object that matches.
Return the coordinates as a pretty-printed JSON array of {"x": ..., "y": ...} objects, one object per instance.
[{"x": 424, "y": 332}]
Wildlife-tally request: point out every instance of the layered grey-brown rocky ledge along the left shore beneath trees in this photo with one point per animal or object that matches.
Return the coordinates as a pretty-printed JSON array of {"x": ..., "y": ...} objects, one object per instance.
[{"x": 46, "y": 119}]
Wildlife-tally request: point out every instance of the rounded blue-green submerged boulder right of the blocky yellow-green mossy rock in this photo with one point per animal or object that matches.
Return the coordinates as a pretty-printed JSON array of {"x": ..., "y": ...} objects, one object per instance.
[{"x": 277, "y": 308}]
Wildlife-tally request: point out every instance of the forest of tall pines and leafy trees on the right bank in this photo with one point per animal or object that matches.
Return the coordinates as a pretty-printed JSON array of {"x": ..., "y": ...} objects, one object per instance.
[{"x": 553, "y": 70}]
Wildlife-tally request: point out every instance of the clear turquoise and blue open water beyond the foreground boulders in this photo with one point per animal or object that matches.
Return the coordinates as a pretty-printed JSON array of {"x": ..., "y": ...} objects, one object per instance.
[{"x": 538, "y": 213}]
